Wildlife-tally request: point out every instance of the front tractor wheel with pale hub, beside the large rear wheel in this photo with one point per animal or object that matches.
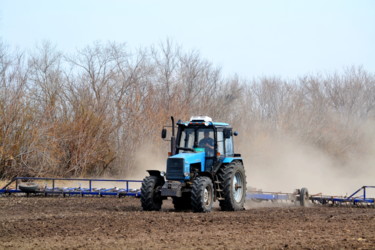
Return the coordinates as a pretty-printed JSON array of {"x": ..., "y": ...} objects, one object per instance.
[{"x": 202, "y": 194}]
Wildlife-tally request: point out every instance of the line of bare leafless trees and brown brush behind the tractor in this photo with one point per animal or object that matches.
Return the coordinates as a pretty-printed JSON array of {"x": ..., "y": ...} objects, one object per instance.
[{"x": 91, "y": 112}]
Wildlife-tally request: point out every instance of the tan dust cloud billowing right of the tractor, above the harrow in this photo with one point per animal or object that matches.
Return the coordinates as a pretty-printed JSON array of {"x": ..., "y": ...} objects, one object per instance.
[{"x": 282, "y": 163}]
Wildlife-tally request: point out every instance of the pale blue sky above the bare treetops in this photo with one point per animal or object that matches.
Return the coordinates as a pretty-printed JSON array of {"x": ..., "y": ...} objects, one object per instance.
[{"x": 250, "y": 38}]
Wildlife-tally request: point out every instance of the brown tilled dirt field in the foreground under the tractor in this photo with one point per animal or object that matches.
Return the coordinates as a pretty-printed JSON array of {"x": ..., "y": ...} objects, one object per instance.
[{"x": 107, "y": 223}]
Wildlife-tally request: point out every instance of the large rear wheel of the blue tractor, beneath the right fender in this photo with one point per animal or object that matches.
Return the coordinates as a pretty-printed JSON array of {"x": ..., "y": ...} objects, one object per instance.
[{"x": 233, "y": 185}]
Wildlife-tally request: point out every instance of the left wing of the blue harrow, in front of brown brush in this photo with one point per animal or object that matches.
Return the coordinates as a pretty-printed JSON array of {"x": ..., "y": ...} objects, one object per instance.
[{"x": 49, "y": 186}]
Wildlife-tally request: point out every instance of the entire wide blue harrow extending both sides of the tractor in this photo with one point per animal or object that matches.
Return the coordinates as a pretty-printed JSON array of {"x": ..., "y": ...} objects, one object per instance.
[{"x": 32, "y": 185}]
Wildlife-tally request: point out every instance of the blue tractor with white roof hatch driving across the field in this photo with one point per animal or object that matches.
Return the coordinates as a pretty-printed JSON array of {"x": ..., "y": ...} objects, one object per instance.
[{"x": 202, "y": 168}]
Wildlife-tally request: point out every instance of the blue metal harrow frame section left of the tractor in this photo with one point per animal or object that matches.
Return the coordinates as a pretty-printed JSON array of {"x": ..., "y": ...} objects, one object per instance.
[{"x": 76, "y": 191}]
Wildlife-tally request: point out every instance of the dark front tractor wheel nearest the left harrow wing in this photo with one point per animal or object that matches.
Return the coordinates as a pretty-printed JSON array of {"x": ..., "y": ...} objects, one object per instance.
[{"x": 150, "y": 193}]
